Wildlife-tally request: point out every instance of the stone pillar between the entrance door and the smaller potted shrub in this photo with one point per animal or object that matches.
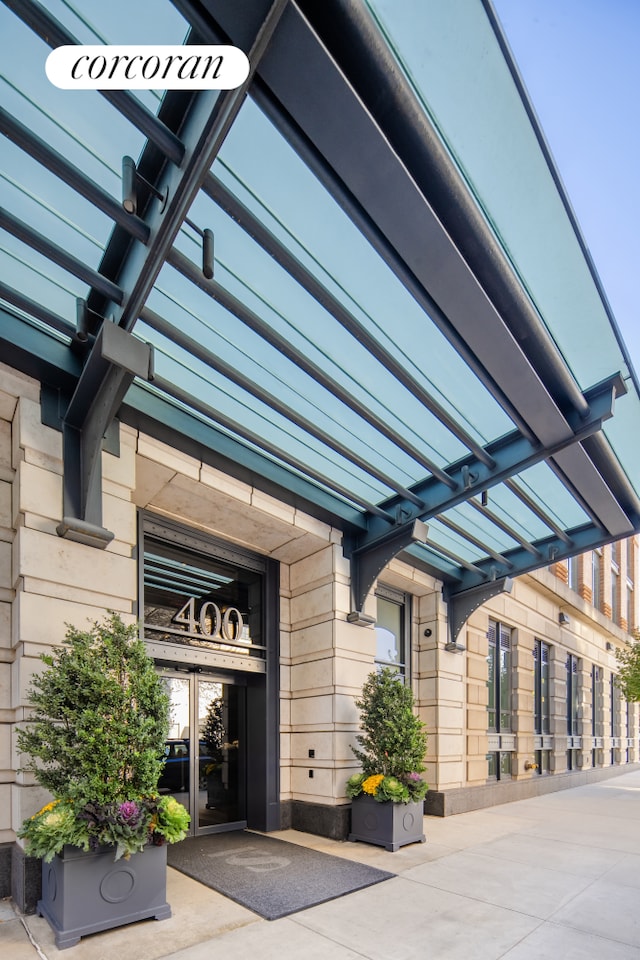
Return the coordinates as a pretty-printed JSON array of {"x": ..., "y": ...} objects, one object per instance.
[{"x": 330, "y": 659}]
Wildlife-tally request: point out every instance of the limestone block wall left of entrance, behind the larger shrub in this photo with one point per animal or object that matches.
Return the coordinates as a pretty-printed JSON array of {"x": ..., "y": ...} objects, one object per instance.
[{"x": 56, "y": 581}]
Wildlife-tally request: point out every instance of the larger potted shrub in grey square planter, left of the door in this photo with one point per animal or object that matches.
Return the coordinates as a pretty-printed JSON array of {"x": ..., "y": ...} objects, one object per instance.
[{"x": 95, "y": 739}]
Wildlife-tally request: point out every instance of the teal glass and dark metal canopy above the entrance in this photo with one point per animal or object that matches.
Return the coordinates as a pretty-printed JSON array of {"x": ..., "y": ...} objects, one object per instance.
[{"x": 403, "y": 331}]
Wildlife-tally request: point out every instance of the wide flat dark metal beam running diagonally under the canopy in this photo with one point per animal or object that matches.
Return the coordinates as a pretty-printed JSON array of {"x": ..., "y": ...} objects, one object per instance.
[{"x": 298, "y": 71}]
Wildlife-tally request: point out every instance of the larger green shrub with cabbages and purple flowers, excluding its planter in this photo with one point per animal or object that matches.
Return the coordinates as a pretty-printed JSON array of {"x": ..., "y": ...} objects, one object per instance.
[{"x": 95, "y": 740}]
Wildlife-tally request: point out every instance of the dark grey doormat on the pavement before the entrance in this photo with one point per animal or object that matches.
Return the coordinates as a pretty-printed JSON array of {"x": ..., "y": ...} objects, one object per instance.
[{"x": 269, "y": 876}]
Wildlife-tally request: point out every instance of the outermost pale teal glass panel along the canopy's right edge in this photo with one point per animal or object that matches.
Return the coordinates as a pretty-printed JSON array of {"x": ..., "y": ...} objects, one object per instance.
[{"x": 465, "y": 85}]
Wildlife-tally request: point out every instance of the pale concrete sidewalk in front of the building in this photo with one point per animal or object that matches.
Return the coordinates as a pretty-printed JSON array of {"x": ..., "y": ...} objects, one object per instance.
[{"x": 555, "y": 876}]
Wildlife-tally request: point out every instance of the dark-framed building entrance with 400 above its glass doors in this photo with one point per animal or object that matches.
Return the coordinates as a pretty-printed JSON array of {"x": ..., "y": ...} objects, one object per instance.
[{"x": 210, "y": 619}]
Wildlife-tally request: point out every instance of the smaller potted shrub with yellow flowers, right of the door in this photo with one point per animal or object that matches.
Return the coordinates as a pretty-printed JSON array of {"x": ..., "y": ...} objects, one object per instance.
[{"x": 388, "y": 796}]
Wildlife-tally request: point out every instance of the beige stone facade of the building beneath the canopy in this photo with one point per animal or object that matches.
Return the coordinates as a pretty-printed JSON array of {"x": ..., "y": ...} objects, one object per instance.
[{"x": 46, "y": 582}]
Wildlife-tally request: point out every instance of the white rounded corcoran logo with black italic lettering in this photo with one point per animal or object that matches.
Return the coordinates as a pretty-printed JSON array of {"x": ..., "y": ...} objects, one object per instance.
[{"x": 147, "y": 67}]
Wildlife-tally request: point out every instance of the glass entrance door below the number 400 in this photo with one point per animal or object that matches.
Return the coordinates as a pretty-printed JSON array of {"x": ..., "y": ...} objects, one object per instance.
[{"x": 205, "y": 751}]
